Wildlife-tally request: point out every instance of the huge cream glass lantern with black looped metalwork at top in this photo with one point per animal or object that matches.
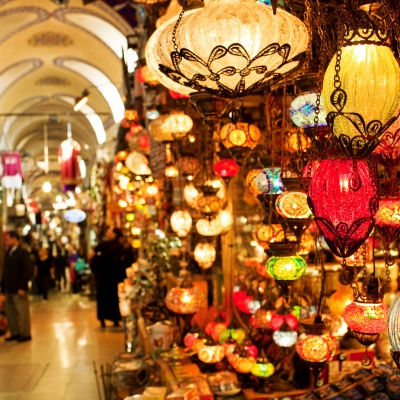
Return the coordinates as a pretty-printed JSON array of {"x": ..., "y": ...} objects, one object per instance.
[{"x": 227, "y": 63}]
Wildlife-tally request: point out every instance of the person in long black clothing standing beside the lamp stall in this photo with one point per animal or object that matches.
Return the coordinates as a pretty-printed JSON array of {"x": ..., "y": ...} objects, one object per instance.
[{"x": 107, "y": 266}]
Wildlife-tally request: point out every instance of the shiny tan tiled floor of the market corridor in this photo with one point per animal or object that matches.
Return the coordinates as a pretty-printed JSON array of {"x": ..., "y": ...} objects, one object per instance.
[{"x": 58, "y": 363}]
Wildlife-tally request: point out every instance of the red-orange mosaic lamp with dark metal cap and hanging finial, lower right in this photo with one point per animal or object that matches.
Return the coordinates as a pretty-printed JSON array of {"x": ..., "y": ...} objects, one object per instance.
[{"x": 367, "y": 317}]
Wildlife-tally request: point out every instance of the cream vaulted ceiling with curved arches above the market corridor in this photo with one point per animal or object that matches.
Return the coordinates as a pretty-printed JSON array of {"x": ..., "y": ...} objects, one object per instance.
[{"x": 50, "y": 53}]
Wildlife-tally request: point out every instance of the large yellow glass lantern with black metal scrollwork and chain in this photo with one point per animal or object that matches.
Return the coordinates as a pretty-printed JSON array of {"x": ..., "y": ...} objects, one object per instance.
[{"x": 359, "y": 117}]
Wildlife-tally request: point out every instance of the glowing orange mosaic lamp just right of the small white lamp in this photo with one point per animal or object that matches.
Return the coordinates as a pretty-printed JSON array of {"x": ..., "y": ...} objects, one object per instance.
[{"x": 316, "y": 348}]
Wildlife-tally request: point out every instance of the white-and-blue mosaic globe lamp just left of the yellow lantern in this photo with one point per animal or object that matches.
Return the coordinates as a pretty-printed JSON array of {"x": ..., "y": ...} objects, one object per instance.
[{"x": 302, "y": 110}]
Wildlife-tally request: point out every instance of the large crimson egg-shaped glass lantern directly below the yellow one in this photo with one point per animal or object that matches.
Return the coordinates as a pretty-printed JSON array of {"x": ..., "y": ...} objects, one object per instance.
[{"x": 343, "y": 197}]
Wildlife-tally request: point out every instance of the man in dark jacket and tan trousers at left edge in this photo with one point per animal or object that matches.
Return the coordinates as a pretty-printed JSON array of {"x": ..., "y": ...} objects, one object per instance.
[{"x": 17, "y": 273}]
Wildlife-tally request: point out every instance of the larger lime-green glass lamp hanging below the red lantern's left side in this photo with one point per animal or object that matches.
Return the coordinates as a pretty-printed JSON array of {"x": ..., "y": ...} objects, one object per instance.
[{"x": 286, "y": 269}]
